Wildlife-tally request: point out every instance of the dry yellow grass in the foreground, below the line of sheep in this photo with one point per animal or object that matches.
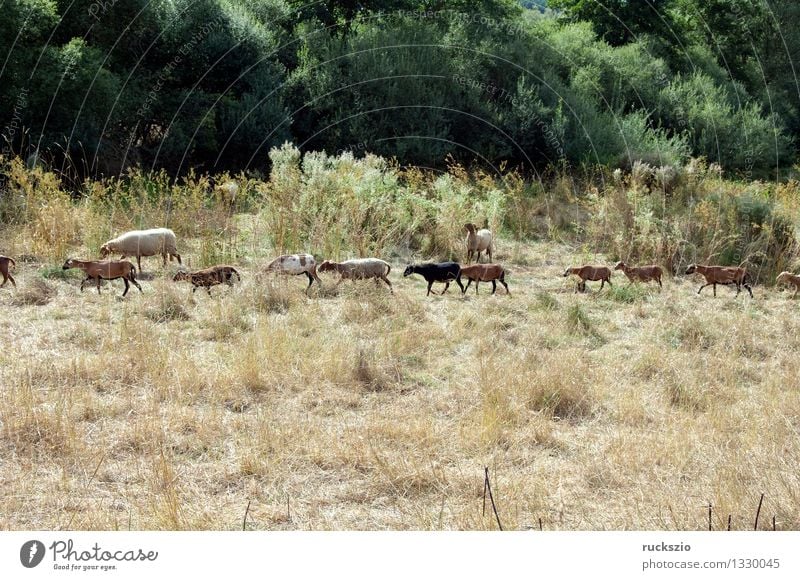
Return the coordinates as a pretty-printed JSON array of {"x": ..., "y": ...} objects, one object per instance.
[{"x": 356, "y": 409}]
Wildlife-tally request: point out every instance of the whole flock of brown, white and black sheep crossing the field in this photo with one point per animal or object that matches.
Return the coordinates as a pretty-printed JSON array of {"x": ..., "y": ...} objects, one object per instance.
[{"x": 162, "y": 241}]
